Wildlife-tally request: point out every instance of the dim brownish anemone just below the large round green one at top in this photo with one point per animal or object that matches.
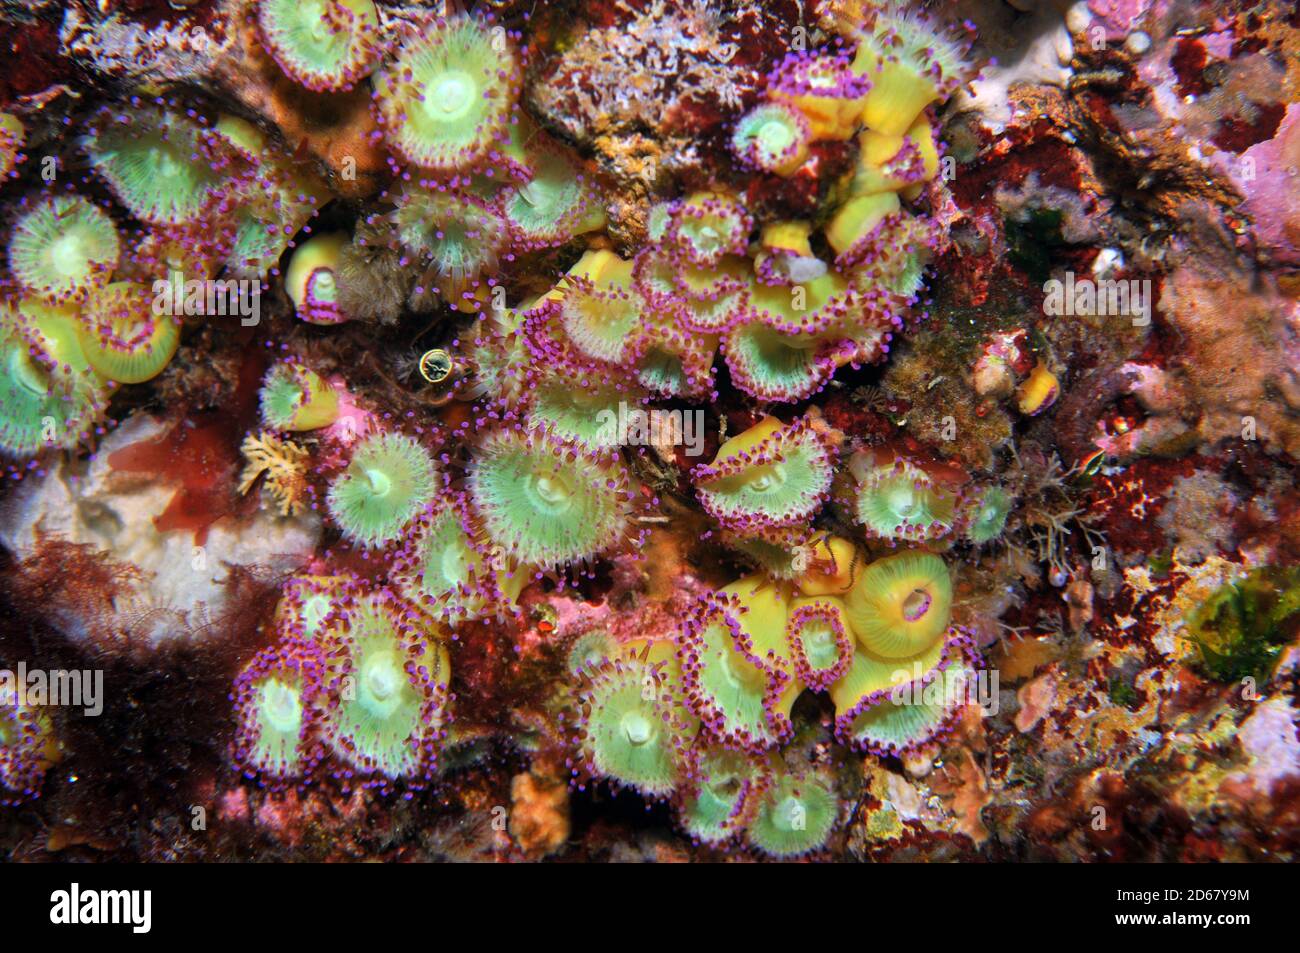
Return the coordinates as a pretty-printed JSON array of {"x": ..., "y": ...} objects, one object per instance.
[{"x": 454, "y": 235}]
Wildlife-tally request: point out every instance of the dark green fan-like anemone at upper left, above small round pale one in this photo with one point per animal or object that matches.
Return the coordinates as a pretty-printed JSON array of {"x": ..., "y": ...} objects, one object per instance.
[{"x": 163, "y": 167}]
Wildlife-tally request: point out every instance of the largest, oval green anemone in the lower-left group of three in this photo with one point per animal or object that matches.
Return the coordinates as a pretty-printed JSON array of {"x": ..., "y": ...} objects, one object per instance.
[{"x": 388, "y": 696}]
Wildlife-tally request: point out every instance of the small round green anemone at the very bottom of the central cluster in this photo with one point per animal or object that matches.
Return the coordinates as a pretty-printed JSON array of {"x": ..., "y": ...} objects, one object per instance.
[{"x": 795, "y": 815}]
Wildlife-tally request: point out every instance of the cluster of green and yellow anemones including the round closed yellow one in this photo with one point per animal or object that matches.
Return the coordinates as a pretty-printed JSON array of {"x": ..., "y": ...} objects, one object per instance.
[{"x": 703, "y": 718}]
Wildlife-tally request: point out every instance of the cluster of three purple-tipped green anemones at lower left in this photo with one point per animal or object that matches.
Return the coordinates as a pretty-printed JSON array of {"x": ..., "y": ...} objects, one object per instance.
[{"x": 357, "y": 678}]
